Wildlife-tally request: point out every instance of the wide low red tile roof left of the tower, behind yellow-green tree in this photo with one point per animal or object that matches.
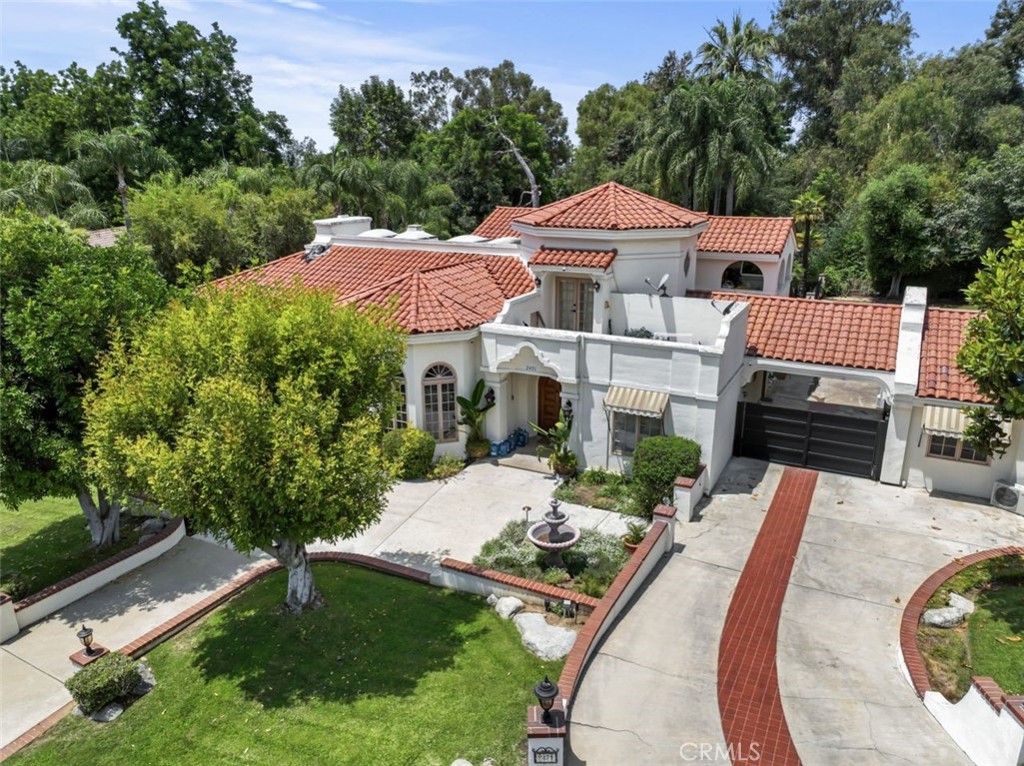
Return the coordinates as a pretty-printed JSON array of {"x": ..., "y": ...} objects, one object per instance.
[{"x": 436, "y": 291}]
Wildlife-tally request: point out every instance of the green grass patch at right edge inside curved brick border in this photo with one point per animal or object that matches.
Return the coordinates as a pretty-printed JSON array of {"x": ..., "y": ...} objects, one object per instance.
[{"x": 996, "y": 636}]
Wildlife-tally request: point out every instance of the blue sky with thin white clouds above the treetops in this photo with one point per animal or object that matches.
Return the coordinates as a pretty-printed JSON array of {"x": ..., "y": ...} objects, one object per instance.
[{"x": 298, "y": 52}]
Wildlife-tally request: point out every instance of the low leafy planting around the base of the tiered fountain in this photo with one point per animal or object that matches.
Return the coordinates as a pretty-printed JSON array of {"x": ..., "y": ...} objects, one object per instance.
[{"x": 591, "y": 565}]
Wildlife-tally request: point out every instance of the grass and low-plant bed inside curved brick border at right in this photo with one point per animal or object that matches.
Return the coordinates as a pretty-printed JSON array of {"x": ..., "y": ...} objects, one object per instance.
[{"x": 992, "y": 642}]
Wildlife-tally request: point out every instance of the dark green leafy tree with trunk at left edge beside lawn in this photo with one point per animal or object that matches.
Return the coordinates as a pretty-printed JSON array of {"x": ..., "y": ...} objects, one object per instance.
[{"x": 62, "y": 303}]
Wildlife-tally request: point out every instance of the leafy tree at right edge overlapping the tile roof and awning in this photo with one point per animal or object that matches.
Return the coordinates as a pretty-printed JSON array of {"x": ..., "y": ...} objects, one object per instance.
[{"x": 993, "y": 354}]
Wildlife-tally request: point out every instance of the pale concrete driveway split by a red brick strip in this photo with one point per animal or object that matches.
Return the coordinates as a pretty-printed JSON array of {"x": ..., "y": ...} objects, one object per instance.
[{"x": 653, "y": 690}]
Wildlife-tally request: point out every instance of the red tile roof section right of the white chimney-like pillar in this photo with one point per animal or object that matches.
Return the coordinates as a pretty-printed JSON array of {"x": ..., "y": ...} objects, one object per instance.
[{"x": 940, "y": 377}]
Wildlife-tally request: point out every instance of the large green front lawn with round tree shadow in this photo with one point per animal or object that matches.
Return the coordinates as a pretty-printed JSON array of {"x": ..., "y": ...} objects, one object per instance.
[{"x": 389, "y": 672}]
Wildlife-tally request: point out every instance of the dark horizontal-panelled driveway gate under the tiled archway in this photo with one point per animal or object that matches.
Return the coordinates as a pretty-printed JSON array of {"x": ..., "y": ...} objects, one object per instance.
[{"x": 800, "y": 438}]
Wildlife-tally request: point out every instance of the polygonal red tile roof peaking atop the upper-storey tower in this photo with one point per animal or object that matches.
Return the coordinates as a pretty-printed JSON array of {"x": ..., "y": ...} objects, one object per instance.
[{"x": 612, "y": 207}]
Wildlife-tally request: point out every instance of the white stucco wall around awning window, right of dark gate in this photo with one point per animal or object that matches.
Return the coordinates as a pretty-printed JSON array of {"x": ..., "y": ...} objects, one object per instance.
[{"x": 953, "y": 477}]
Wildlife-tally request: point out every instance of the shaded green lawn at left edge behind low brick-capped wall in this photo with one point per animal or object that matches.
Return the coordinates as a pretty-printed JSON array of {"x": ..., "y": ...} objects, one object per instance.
[{"x": 46, "y": 541}]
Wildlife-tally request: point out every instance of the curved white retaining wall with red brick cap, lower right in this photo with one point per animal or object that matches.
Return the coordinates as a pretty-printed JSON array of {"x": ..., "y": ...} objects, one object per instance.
[{"x": 987, "y": 724}]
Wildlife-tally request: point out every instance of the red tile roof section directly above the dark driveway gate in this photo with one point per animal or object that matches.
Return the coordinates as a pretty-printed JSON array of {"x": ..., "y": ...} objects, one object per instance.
[{"x": 821, "y": 332}]
